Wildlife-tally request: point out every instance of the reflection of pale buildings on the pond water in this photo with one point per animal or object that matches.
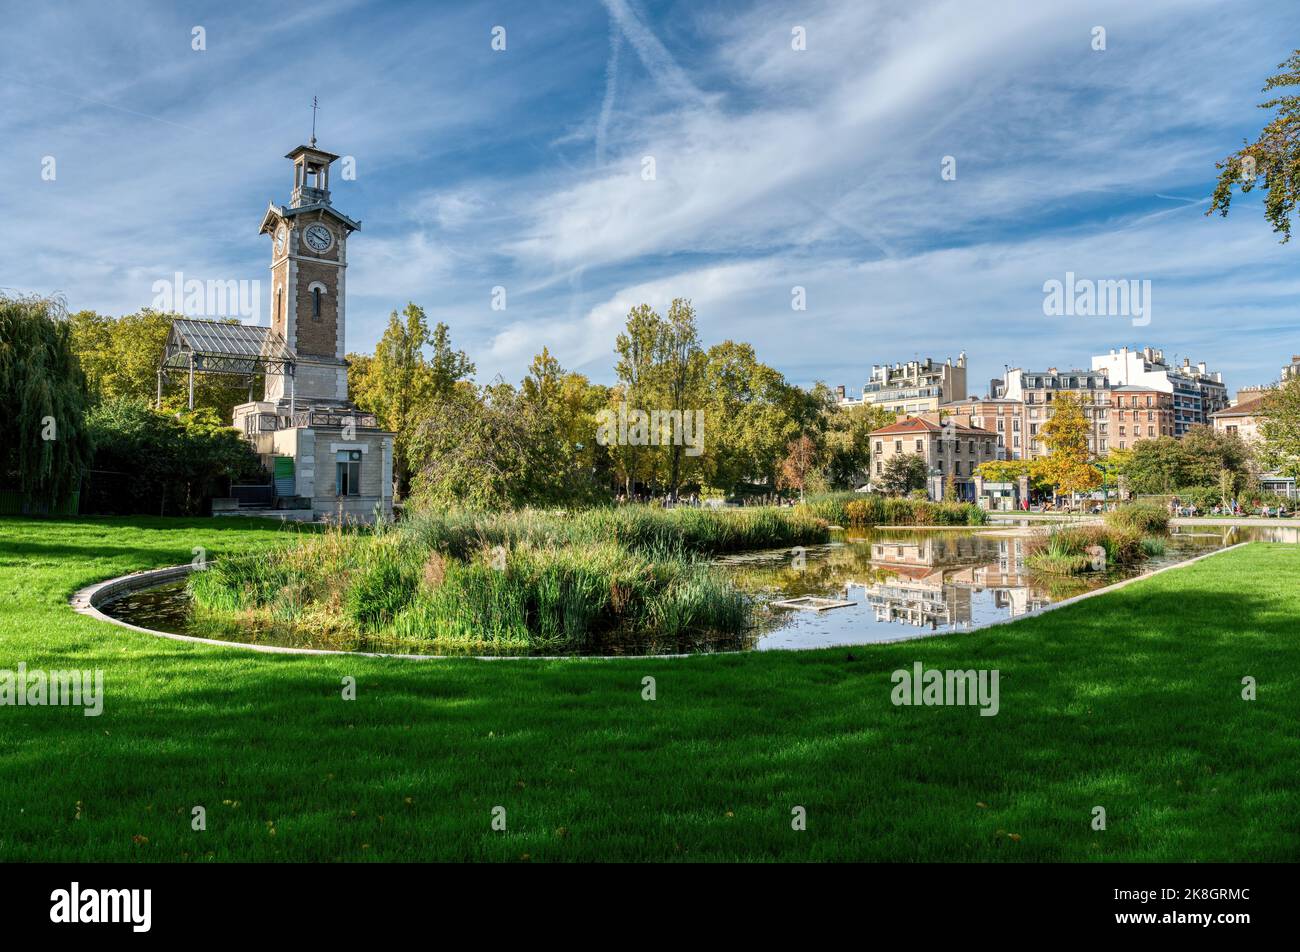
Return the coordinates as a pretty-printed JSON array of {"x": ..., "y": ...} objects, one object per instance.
[{"x": 925, "y": 596}]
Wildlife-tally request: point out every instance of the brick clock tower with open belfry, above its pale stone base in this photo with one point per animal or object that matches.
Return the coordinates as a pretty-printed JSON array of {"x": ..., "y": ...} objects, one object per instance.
[{"x": 309, "y": 270}]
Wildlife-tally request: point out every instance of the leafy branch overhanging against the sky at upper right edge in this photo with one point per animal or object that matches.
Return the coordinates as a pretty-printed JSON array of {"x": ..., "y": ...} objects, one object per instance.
[{"x": 1273, "y": 158}]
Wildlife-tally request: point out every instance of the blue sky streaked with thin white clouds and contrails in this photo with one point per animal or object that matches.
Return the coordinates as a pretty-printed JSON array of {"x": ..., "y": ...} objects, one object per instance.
[{"x": 818, "y": 168}]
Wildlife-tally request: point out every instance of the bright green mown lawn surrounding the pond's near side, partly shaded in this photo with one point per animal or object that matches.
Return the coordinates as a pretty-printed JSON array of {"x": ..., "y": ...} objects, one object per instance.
[{"x": 1130, "y": 702}]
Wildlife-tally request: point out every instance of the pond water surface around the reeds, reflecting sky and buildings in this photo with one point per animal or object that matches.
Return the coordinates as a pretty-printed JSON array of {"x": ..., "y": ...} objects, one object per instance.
[{"x": 902, "y": 583}]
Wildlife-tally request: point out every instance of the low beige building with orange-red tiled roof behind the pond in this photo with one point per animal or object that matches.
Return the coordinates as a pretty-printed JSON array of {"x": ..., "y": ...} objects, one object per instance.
[{"x": 948, "y": 448}]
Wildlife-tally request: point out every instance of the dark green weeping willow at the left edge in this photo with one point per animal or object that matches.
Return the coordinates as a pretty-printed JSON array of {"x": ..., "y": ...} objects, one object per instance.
[{"x": 44, "y": 442}]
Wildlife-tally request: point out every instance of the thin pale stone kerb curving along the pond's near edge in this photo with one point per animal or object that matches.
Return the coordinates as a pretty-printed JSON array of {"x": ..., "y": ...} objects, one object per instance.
[{"x": 86, "y": 602}]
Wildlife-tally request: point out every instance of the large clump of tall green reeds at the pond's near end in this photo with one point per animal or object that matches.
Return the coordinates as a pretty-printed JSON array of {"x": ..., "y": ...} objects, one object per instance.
[{"x": 632, "y": 578}]
